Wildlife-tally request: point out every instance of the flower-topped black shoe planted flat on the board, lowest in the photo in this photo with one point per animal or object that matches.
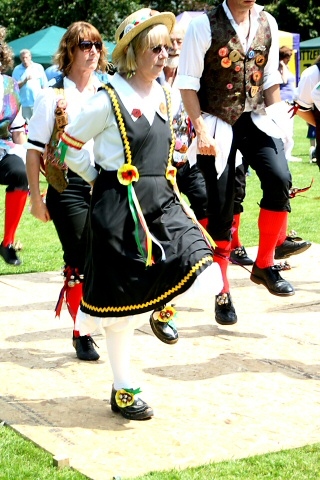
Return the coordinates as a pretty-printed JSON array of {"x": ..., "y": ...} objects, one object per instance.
[{"x": 138, "y": 410}]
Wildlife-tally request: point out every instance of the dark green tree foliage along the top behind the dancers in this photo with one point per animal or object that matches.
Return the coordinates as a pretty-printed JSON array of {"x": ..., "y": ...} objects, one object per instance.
[{"x": 22, "y": 17}]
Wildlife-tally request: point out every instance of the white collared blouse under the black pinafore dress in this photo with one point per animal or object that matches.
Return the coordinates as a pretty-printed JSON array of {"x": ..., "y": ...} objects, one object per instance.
[{"x": 97, "y": 121}]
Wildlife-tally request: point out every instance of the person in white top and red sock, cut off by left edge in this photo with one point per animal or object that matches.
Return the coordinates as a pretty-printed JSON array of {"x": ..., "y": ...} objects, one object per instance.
[{"x": 12, "y": 154}]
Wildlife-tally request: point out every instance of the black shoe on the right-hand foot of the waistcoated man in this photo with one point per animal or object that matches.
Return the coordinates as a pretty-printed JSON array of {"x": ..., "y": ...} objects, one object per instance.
[{"x": 272, "y": 280}]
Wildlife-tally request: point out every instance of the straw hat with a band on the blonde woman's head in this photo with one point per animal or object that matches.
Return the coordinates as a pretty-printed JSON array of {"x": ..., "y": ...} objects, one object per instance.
[{"x": 136, "y": 23}]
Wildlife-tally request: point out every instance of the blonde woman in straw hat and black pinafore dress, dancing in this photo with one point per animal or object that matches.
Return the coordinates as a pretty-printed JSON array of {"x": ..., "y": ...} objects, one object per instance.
[{"x": 143, "y": 251}]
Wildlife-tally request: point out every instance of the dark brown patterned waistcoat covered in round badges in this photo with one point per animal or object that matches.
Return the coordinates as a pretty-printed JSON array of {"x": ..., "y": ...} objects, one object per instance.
[{"x": 230, "y": 75}]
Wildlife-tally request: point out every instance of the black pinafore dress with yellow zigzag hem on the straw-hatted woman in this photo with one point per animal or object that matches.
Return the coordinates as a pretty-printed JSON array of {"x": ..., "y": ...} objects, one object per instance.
[{"x": 117, "y": 281}]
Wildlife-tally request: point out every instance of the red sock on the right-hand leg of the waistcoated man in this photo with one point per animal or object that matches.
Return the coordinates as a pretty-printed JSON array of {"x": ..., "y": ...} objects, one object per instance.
[{"x": 270, "y": 224}]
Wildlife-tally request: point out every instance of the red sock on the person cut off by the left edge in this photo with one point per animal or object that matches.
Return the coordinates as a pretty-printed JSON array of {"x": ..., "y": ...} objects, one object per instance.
[{"x": 14, "y": 205}]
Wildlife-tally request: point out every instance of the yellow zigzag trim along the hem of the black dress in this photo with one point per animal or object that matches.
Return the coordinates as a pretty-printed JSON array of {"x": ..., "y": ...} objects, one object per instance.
[{"x": 162, "y": 297}]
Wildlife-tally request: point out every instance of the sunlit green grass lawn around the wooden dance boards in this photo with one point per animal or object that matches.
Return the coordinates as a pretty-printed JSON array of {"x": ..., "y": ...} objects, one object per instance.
[{"x": 21, "y": 460}]
